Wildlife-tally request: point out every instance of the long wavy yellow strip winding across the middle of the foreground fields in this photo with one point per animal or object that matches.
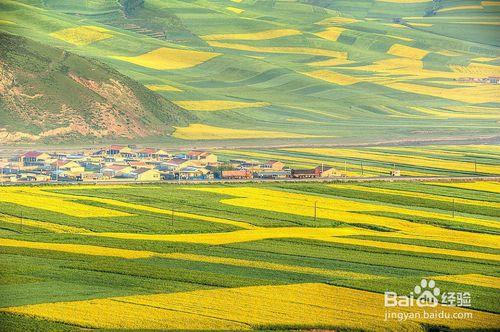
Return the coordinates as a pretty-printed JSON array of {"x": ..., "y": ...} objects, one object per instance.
[{"x": 244, "y": 235}]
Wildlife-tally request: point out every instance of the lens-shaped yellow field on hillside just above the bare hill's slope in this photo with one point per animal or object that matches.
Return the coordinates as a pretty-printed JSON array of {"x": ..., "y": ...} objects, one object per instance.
[{"x": 169, "y": 58}]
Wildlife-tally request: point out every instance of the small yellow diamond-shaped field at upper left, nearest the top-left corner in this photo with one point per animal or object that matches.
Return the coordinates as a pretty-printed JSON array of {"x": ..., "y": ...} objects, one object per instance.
[{"x": 83, "y": 35}]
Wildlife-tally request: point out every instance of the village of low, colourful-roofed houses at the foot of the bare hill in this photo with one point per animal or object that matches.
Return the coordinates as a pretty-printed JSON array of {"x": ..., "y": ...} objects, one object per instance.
[{"x": 128, "y": 163}]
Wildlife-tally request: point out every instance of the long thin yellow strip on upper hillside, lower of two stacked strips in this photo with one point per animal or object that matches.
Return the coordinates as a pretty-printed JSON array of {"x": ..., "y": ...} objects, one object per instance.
[{"x": 283, "y": 50}]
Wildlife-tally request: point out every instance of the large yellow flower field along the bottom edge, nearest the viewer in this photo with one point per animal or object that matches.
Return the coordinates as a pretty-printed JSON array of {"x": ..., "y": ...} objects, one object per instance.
[{"x": 311, "y": 304}]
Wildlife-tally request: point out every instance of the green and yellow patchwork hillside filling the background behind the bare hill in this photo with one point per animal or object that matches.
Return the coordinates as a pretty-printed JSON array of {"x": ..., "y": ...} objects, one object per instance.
[{"x": 255, "y": 71}]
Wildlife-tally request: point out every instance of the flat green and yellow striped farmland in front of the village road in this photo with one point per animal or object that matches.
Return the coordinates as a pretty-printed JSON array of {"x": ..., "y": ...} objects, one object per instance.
[{"x": 242, "y": 257}]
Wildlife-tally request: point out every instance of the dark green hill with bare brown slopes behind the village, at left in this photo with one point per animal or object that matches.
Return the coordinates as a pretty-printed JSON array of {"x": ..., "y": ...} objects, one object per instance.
[{"x": 51, "y": 95}]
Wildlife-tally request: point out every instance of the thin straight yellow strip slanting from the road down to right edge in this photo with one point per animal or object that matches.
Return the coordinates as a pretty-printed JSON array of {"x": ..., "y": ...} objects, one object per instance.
[{"x": 418, "y": 195}]
